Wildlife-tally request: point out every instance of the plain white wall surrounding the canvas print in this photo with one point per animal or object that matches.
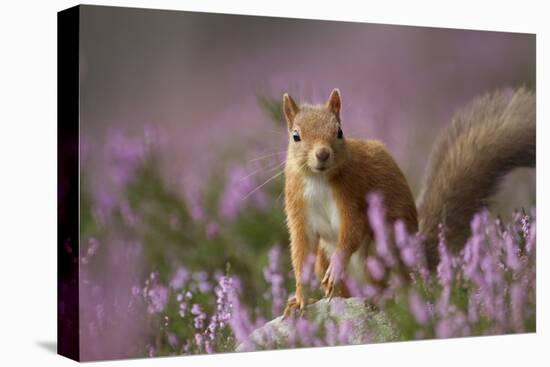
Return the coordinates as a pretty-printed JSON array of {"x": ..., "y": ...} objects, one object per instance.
[{"x": 28, "y": 180}]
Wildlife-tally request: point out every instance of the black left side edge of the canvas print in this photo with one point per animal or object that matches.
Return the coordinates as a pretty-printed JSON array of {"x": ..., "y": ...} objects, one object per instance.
[{"x": 68, "y": 325}]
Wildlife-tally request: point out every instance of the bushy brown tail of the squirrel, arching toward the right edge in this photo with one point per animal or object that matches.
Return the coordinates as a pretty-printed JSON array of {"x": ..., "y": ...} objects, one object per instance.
[{"x": 486, "y": 140}]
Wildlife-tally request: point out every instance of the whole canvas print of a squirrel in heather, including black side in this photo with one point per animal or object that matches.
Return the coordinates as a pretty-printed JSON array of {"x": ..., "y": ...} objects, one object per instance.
[{"x": 233, "y": 183}]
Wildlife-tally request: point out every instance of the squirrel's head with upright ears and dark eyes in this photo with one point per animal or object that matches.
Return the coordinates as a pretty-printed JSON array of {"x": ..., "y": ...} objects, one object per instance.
[{"x": 316, "y": 141}]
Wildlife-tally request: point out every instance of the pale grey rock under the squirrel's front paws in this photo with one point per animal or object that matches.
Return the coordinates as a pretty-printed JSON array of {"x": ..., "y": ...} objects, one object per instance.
[{"x": 327, "y": 321}]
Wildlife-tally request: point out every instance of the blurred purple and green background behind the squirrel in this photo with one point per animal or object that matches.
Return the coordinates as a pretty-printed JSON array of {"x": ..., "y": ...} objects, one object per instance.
[{"x": 181, "y": 121}]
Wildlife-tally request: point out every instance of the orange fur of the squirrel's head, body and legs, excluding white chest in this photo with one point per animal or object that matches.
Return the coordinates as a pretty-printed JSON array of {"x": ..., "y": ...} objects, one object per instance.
[{"x": 354, "y": 169}]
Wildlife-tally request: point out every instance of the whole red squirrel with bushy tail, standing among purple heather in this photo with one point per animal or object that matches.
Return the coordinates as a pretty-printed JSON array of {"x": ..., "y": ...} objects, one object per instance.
[{"x": 328, "y": 177}]
